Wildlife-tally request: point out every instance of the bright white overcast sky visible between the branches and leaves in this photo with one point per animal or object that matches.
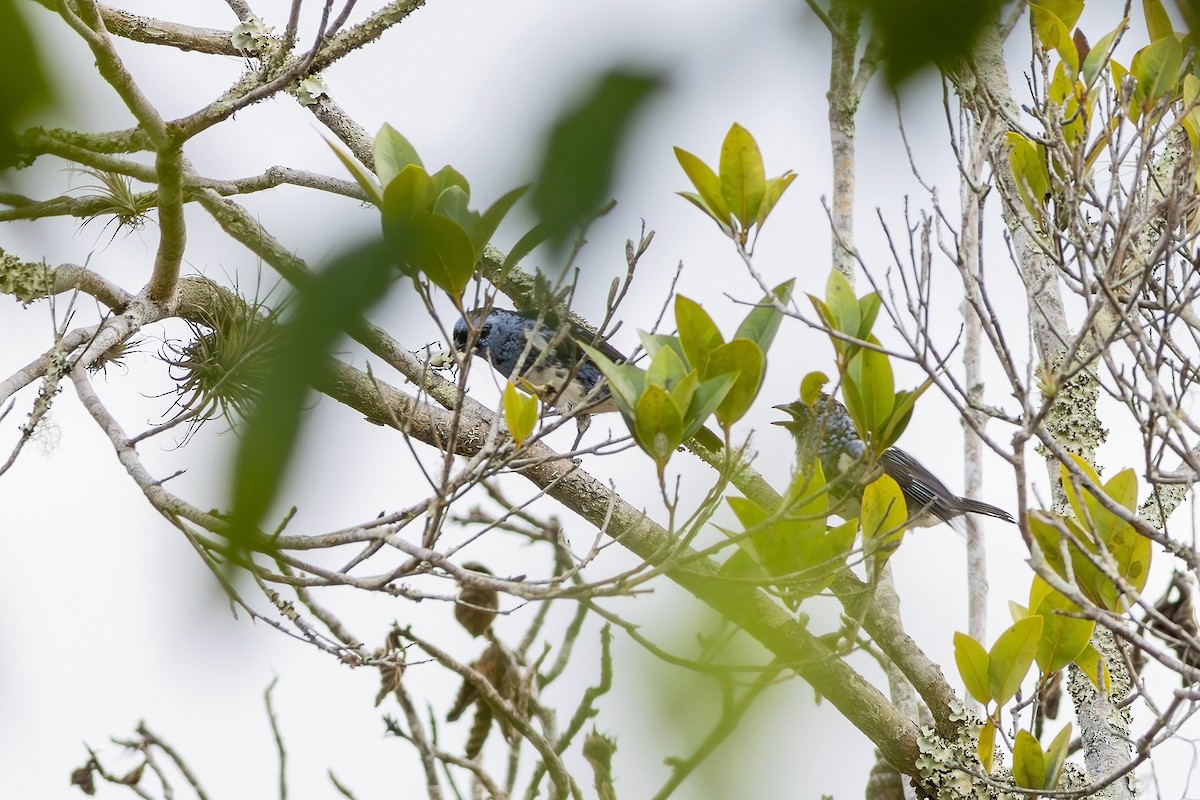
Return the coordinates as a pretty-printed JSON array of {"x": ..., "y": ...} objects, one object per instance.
[{"x": 109, "y": 616}]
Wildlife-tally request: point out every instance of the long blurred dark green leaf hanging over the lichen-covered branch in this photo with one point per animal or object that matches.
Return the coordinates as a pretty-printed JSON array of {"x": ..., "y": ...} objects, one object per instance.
[{"x": 331, "y": 303}]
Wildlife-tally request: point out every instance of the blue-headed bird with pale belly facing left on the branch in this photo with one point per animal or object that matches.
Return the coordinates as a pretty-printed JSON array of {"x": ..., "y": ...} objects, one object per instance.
[{"x": 553, "y": 364}]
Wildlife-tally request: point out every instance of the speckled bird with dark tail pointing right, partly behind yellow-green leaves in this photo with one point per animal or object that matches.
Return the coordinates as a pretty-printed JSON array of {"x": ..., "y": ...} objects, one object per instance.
[{"x": 826, "y": 432}]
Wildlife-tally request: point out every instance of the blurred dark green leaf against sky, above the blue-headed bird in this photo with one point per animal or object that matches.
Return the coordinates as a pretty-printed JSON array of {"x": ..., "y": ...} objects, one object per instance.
[{"x": 583, "y": 149}]
